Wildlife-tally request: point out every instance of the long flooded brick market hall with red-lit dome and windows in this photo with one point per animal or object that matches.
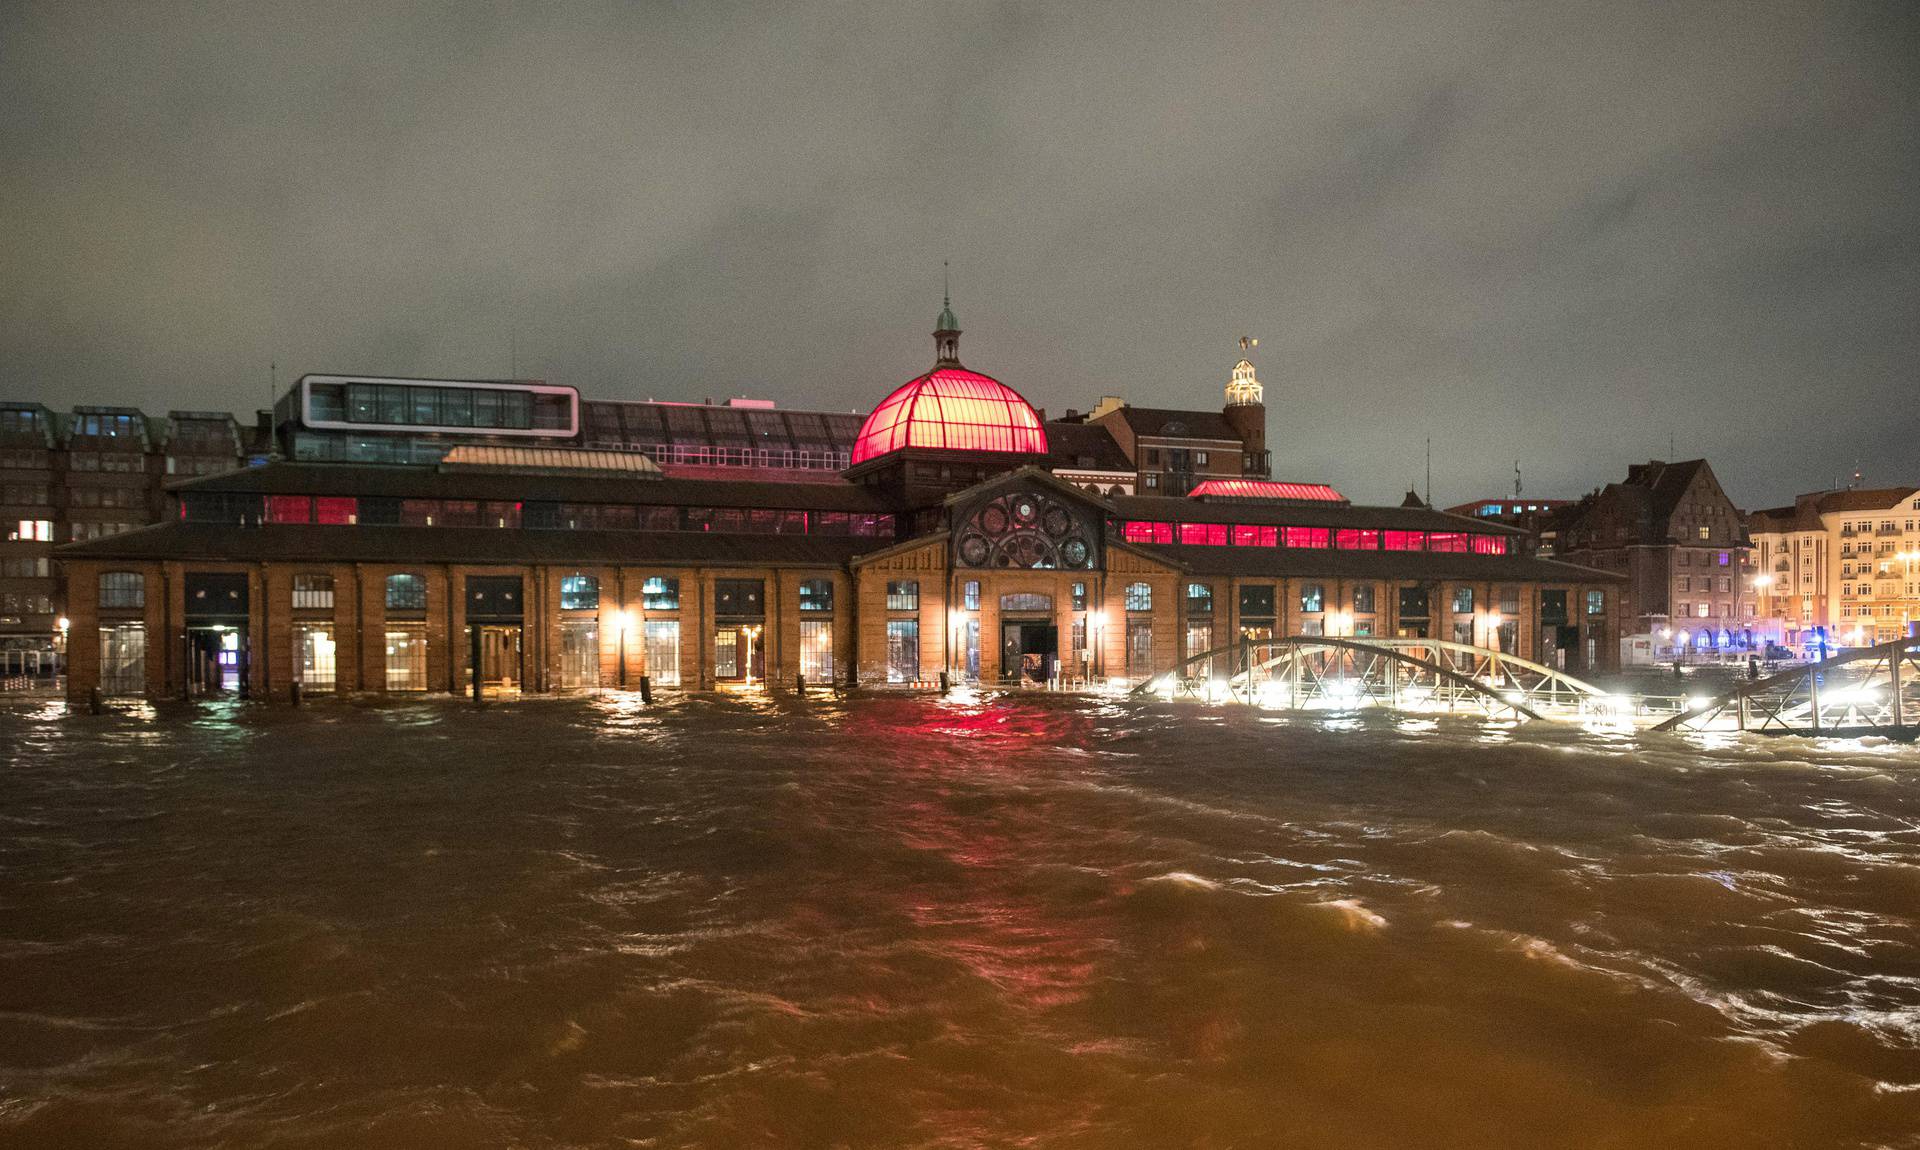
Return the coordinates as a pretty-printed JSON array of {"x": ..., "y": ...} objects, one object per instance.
[{"x": 949, "y": 548}]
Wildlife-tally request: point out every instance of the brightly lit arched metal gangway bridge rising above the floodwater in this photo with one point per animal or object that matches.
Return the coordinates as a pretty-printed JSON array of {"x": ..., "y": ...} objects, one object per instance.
[{"x": 1861, "y": 692}]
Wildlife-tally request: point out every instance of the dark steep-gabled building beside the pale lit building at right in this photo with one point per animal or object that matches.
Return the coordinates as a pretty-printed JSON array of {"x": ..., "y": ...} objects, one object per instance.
[{"x": 1685, "y": 552}]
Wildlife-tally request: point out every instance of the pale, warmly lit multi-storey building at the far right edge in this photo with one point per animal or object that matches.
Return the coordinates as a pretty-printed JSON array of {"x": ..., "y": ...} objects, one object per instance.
[{"x": 1840, "y": 569}]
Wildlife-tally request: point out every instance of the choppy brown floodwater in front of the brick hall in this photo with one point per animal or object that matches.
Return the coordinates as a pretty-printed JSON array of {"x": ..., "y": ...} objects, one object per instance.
[{"x": 903, "y": 922}]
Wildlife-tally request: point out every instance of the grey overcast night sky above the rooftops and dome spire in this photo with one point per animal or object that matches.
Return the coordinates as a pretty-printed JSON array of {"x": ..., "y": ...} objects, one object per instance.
[{"x": 1554, "y": 233}]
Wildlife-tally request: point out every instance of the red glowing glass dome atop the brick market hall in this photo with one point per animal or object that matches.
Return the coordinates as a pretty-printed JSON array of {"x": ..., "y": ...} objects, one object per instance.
[{"x": 951, "y": 410}]
